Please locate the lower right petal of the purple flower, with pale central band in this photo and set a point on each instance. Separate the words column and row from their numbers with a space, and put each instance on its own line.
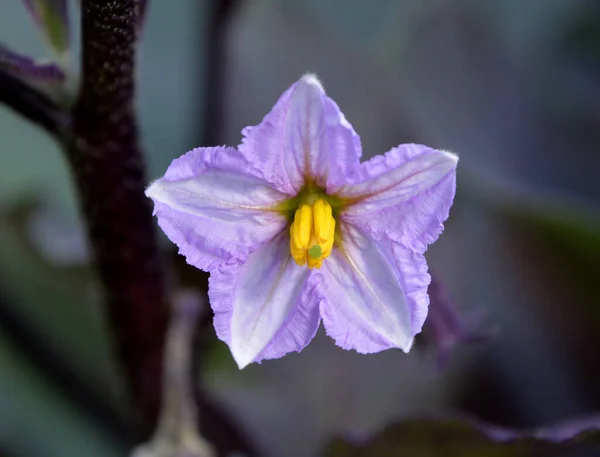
column 369, row 303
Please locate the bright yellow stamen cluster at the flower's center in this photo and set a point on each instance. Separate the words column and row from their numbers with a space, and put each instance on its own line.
column 312, row 233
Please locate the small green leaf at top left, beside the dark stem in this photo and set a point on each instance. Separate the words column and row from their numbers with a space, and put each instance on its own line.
column 51, row 16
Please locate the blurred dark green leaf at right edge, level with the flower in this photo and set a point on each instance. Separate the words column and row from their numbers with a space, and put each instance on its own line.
column 565, row 228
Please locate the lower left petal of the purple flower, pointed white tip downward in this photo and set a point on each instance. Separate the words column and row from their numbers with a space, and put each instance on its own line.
column 265, row 307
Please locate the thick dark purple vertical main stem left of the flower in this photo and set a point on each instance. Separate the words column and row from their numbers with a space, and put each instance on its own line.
column 110, row 176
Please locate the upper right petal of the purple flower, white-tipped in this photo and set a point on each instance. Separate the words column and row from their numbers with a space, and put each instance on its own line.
column 406, row 194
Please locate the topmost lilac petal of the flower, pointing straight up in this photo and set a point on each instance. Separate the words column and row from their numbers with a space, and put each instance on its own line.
column 304, row 136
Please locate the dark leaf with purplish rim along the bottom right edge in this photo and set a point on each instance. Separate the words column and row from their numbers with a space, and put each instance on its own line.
column 462, row 437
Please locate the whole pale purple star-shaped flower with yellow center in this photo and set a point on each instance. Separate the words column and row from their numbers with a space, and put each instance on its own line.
column 294, row 230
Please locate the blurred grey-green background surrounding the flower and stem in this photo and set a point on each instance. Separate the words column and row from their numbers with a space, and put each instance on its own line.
column 512, row 86
